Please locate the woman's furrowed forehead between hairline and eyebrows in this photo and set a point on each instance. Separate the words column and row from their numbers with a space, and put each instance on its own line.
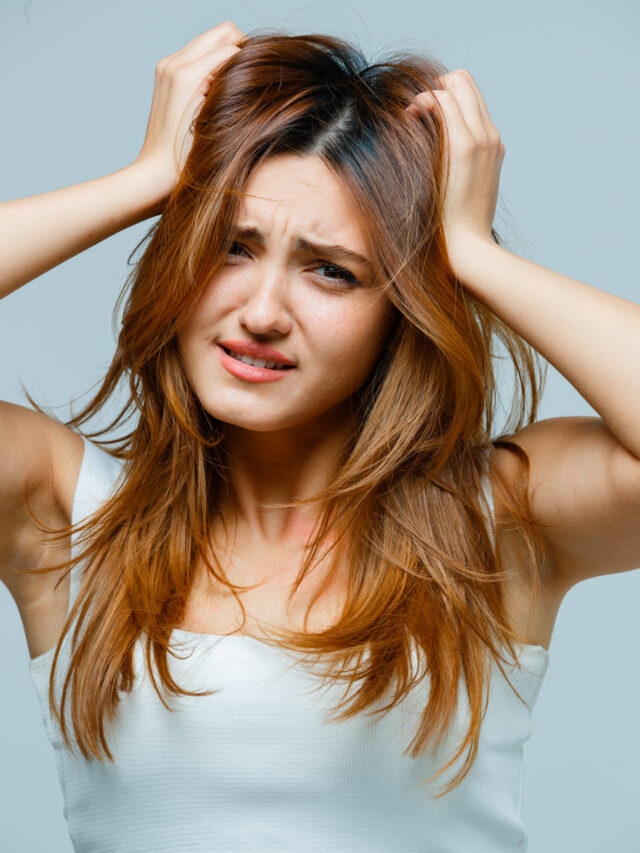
column 301, row 193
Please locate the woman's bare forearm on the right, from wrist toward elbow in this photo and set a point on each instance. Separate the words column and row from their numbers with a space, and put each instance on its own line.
column 590, row 336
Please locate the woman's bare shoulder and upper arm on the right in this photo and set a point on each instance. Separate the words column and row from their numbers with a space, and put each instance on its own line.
column 584, row 488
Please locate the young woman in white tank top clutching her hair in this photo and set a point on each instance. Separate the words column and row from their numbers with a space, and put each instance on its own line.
column 312, row 494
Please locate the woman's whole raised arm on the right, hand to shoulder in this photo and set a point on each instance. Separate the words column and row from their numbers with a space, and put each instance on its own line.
column 585, row 472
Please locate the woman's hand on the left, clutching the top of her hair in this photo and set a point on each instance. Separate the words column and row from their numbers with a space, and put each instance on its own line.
column 181, row 83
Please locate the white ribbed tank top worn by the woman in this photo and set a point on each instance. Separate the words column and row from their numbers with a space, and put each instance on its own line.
column 257, row 766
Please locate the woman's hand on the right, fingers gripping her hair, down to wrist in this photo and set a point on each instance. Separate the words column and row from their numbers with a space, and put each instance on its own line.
column 474, row 152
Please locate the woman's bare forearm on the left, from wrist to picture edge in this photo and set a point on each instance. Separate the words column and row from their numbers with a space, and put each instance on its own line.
column 40, row 232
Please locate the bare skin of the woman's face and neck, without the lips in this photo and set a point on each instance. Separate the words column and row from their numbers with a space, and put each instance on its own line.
column 282, row 436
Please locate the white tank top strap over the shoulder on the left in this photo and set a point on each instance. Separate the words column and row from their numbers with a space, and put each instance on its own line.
column 96, row 480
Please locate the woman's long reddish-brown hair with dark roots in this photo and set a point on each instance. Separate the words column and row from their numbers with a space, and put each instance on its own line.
column 404, row 508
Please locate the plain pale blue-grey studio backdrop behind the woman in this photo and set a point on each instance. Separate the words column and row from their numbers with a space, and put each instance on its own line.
column 560, row 80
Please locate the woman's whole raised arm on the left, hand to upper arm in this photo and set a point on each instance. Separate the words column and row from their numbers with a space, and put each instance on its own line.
column 37, row 234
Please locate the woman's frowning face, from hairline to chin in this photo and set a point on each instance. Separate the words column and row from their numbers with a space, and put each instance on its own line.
column 315, row 306
